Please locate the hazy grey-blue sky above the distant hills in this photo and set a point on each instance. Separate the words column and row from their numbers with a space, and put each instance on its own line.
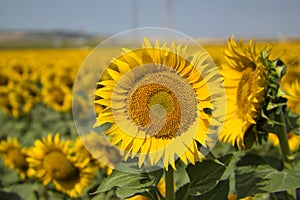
column 197, row 18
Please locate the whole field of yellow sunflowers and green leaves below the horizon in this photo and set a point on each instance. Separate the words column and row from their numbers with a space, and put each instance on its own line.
column 249, row 103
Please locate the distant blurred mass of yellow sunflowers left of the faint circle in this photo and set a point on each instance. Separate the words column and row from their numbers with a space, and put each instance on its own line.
column 30, row 77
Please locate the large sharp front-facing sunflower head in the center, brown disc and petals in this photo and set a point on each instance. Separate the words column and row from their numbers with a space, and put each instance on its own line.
column 160, row 104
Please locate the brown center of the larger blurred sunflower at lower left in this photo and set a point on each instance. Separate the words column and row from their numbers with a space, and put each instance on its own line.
column 59, row 166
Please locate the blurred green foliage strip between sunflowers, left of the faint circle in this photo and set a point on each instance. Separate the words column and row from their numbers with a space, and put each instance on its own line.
column 37, row 124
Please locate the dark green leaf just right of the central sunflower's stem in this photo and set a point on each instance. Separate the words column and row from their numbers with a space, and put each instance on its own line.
column 206, row 175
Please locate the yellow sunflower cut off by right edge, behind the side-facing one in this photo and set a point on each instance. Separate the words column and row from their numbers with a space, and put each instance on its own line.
column 292, row 90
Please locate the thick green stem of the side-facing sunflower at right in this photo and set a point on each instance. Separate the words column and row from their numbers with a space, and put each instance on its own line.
column 283, row 140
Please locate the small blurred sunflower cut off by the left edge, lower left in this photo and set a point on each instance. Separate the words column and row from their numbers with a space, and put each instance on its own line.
column 14, row 156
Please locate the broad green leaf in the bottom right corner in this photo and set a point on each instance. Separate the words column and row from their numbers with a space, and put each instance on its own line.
column 251, row 180
